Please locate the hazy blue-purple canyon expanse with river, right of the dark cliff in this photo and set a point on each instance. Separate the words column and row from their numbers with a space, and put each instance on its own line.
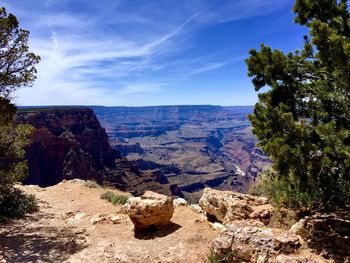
column 193, row 146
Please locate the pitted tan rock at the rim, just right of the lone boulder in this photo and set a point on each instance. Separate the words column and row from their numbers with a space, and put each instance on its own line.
column 229, row 206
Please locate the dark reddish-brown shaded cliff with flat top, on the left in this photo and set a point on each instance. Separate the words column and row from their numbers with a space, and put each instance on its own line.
column 68, row 143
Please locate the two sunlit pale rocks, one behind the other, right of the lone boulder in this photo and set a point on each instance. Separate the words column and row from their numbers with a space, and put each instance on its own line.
column 244, row 235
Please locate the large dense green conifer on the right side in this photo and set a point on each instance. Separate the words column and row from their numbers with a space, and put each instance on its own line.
column 303, row 120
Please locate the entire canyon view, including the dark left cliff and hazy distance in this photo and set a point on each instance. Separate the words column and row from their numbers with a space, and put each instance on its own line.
column 173, row 150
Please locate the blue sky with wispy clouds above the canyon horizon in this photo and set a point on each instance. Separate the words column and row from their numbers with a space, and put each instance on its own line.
column 149, row 52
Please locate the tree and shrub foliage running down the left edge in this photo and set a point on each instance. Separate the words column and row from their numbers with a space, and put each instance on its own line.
column 17, row 69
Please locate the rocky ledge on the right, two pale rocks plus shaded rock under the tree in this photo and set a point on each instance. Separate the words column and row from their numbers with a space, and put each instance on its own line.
column 246, row 235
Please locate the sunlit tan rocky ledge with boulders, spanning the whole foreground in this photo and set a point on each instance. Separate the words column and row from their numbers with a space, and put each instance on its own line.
column 69, row 228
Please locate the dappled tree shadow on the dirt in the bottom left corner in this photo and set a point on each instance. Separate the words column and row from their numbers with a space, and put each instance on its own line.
column 25, row 242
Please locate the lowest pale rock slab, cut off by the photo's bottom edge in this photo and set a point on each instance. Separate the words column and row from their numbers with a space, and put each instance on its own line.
column 246, row 242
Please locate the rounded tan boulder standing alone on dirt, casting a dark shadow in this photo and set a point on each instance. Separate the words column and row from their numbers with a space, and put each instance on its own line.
column 151, row 209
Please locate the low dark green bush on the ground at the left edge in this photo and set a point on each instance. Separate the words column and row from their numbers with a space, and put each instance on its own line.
column 14, row 203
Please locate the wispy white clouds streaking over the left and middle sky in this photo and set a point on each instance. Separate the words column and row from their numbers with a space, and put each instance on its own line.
column 106, row 51
